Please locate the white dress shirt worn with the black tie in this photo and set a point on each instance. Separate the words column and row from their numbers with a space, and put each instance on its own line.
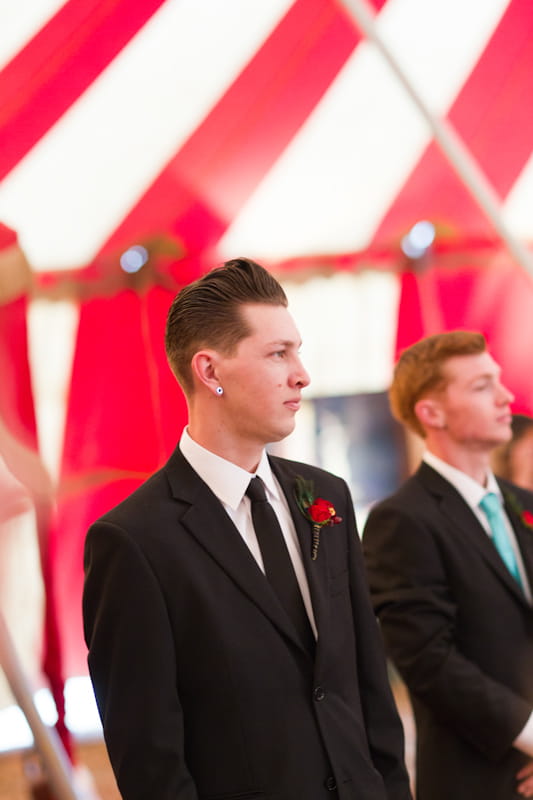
column 229, row 482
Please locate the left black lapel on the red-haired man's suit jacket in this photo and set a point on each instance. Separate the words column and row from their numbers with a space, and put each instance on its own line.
column 463, row 519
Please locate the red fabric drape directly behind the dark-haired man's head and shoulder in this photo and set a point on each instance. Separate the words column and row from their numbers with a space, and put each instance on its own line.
column 125, row 414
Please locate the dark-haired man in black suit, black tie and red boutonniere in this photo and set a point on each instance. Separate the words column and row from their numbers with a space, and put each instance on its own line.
column 214, row 681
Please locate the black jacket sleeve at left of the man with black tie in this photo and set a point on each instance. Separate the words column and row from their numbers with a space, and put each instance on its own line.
column 132, row 663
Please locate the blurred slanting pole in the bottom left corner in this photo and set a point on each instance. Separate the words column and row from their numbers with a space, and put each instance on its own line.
column 47, row 741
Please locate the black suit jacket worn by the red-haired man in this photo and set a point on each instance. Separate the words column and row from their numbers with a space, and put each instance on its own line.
column 460, row 631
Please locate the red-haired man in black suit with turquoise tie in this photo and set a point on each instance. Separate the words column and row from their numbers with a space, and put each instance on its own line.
column 451, row 582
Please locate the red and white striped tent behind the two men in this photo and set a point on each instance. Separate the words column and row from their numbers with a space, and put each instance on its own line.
column 311, row 135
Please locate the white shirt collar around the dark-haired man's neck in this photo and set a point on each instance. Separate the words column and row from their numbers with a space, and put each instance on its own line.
column 225, row 479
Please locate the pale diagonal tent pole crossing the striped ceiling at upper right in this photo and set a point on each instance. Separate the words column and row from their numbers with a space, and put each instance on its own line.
column 447, row 138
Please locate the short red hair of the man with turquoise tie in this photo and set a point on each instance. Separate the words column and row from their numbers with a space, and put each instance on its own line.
column 419, row 371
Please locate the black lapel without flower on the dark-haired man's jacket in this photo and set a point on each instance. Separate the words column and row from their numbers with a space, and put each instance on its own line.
column 206, row 520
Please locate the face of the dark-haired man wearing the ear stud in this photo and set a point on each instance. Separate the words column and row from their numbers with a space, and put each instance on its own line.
column 264, row 377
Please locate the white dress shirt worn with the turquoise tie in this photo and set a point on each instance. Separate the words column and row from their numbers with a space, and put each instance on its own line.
column 472, row 492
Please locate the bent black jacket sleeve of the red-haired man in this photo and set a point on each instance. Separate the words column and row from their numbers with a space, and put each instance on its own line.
column 414, row 600
